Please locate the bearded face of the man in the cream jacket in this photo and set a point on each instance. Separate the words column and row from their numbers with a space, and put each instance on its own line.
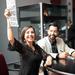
column 53, row 32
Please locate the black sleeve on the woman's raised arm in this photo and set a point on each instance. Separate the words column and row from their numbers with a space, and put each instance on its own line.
column 17, row 46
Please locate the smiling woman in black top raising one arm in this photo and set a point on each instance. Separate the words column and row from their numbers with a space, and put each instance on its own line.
column 30, row 52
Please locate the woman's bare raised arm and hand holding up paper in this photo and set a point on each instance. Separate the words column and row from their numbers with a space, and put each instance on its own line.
column 10, row 34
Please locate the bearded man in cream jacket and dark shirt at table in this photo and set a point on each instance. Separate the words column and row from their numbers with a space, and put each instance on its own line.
column 55, row 45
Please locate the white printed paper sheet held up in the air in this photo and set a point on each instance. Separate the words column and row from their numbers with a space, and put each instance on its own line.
column 11, row 5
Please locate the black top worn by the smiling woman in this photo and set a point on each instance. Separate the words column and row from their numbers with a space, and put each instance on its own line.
column 31, row 60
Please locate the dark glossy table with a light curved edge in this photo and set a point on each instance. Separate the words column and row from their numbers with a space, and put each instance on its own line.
column 63, row 66
